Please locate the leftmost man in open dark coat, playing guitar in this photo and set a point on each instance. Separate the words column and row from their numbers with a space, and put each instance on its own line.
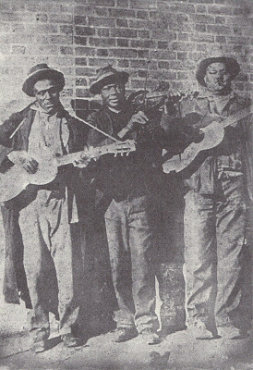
column 51, row 215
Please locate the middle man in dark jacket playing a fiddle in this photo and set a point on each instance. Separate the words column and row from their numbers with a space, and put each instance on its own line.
column 130, row 183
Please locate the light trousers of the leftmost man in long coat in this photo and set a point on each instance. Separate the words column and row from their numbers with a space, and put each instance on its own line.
column 48, row 241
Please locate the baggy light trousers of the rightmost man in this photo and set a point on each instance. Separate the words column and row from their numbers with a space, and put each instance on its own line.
column 214, row 253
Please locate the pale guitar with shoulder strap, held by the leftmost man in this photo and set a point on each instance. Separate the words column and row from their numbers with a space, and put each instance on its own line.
column 16, row 178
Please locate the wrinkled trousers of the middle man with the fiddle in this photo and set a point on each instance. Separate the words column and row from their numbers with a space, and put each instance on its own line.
column 131, row 246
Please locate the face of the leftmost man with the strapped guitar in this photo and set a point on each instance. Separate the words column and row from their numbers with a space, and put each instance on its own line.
column 47, row 94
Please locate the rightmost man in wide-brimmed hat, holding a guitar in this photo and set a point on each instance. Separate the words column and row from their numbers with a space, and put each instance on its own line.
column 215, row 207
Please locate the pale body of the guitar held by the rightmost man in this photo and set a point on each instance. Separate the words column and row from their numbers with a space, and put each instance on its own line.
column 213, row 136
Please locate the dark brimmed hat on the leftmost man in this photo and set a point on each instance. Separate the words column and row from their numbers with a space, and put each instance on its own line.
column 40, row 72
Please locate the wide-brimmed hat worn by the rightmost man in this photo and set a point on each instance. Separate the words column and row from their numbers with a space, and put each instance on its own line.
column 232, row 66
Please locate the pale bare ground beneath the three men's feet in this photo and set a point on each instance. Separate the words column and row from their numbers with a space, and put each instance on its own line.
column 176, row 351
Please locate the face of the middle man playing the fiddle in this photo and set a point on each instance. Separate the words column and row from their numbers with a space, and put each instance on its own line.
column 113, row 95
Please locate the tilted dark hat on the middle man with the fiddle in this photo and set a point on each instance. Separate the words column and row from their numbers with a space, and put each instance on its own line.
column 105, row 76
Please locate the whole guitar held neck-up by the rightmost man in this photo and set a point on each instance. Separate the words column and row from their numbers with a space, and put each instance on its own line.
column 213, row 136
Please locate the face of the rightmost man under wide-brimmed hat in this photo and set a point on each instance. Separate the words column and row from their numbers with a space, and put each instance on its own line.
column 217, row 78
